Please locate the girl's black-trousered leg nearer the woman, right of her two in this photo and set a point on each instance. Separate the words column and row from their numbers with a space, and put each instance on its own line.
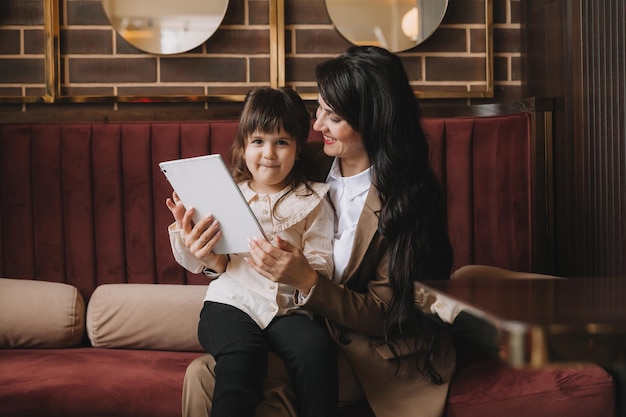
column 311, row 358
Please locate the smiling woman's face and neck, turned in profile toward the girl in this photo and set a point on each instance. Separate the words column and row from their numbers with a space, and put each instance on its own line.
column 341, row 140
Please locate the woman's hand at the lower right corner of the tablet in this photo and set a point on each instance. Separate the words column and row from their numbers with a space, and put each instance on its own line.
column 283, row 263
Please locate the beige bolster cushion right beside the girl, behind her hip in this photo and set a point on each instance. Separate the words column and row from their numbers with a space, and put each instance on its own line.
column 145, row 316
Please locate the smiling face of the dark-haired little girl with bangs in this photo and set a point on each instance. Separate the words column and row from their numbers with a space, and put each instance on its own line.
column 270, row 158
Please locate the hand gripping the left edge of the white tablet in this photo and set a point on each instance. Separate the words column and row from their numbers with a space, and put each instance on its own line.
column 201, row 239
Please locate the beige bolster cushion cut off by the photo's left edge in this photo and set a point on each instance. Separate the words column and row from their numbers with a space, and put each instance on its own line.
column 40, row 314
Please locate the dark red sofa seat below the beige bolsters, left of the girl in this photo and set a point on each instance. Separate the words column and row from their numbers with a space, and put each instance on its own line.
column 76, row 381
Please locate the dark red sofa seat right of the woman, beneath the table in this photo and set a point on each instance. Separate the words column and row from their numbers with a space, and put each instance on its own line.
column 494, row 389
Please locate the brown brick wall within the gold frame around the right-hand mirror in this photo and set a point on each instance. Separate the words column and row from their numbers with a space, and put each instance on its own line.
column 453, row 59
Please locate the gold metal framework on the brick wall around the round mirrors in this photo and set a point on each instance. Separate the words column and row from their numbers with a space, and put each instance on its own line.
column 277, row 66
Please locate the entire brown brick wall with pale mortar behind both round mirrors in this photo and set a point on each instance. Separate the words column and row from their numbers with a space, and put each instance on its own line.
column 95, row 61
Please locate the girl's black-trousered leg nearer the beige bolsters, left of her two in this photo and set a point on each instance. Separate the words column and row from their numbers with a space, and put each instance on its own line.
column 240, row 351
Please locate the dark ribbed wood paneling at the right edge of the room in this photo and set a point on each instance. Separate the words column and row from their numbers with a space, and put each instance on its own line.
column 575, row 52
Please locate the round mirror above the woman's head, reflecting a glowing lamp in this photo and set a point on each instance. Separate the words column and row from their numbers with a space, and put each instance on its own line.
column 396, row 25
